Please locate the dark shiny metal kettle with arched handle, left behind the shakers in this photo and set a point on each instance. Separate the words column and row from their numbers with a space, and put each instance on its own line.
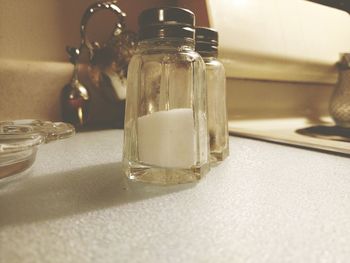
column 100, row 71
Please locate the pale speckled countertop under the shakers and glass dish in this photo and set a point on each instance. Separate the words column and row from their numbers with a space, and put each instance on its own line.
column 265, row 203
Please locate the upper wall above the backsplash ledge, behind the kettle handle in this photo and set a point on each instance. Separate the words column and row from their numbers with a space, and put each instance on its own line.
column 39, row 30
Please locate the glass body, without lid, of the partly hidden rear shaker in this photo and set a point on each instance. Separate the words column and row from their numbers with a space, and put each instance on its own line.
column 217, row 112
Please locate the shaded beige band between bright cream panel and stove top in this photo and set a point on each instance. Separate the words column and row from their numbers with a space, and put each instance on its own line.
column 256, row 99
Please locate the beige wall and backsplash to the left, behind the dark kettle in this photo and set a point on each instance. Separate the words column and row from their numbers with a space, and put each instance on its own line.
column 33, row 62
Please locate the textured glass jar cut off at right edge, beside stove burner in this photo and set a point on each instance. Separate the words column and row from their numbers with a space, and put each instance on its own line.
column 339, row 106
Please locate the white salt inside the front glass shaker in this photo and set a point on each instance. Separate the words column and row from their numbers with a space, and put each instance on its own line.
column 167, row 138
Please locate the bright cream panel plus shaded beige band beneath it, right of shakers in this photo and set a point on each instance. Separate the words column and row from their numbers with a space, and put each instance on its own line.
column 280, row 55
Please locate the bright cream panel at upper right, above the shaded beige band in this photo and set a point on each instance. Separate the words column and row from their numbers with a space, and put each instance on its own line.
column 289, row 40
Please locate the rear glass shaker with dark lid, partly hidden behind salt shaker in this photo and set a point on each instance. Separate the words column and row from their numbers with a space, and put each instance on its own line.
column 207, row 47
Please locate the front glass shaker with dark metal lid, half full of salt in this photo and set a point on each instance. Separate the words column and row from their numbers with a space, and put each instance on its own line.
column 165, row 133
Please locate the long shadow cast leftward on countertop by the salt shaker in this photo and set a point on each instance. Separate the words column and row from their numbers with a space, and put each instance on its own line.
column 59, row 195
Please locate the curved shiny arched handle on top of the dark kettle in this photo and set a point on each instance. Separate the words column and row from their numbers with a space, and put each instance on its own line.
column 91, row 10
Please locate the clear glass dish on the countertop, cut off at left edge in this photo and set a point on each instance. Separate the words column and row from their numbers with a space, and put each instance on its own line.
column 19, row 141
